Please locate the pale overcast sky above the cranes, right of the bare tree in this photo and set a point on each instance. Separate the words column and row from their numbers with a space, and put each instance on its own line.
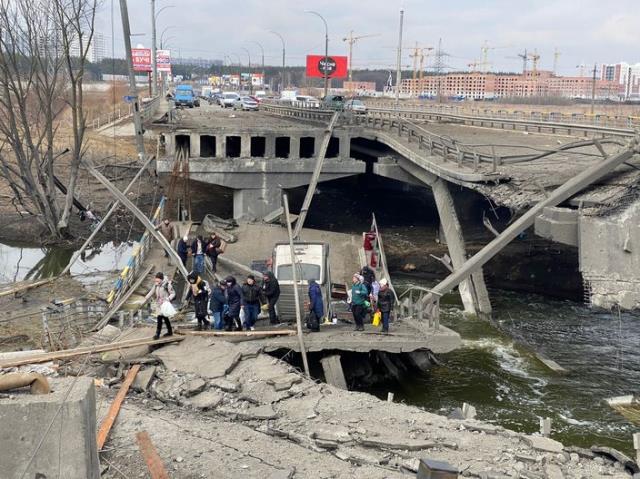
column 584, row 31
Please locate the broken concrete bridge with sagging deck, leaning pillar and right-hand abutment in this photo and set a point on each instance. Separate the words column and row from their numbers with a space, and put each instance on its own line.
column 260, row 153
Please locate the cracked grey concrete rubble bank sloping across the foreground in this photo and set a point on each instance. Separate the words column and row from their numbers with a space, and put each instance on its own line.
column 214, row 407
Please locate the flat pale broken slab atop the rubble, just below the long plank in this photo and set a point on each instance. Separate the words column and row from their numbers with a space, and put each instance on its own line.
column 197, row 355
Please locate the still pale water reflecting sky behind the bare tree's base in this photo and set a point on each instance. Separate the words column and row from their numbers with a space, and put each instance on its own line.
column 20, row 262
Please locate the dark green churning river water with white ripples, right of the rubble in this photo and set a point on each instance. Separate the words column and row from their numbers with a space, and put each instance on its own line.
column 496, row 370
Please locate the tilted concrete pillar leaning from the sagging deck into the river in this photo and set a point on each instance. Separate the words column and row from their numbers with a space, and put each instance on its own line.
column 473, row 291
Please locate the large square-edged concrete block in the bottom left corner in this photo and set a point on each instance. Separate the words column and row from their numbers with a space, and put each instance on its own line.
column 71, row 410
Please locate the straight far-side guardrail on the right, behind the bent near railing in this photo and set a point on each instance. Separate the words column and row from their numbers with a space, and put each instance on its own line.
column 504, row 123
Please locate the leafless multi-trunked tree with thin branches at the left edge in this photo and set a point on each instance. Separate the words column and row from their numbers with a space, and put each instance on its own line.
column 44, row 46
